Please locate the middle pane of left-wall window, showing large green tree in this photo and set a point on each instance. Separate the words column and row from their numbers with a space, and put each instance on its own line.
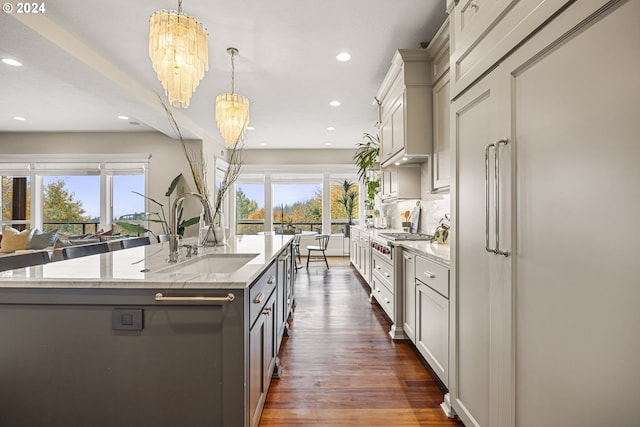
column 71, row 204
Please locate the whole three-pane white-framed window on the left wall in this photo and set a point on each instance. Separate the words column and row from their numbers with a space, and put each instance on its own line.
column 74, row 194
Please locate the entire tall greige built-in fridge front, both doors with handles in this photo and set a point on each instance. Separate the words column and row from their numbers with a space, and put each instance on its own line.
column 524, row 312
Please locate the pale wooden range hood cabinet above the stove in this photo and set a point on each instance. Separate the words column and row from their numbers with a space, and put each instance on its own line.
column 405, row 104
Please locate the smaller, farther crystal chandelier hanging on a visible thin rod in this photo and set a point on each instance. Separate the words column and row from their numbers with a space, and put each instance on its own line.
column 232, row 110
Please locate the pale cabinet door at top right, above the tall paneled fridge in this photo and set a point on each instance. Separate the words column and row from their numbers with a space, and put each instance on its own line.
column 484, row 31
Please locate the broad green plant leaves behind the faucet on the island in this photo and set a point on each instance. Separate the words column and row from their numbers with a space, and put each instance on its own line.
column 157, row 217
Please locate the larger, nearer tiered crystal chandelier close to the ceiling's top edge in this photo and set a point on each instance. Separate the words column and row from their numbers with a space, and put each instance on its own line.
column 178, row 47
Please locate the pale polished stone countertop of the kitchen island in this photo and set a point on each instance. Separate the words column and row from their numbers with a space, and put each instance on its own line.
column 144, row 267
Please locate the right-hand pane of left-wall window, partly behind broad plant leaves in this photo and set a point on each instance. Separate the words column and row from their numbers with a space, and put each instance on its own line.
column 128, row 206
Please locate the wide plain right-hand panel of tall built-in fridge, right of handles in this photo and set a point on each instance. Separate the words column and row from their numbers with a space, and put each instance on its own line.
column 577, row 269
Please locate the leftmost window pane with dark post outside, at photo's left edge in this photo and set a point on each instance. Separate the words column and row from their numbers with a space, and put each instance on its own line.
column 16, row 200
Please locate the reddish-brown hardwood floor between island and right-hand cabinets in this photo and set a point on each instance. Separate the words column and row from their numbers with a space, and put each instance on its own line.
column 341, row 368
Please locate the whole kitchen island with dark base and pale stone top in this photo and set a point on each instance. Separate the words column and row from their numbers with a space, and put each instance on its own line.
column 125, row 338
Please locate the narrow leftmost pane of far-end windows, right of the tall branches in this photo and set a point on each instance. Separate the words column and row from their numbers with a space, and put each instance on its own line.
column 249, row 208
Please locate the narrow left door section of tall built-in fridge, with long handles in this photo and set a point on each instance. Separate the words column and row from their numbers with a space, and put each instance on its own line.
column 481, row 281
